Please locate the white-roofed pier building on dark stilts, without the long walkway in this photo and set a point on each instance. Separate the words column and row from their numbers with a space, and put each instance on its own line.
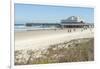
column 75, row 22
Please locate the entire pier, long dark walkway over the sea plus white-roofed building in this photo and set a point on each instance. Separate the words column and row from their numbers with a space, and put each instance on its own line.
column 70, row 22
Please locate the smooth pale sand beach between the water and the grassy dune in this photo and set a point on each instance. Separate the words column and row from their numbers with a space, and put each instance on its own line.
column 41, row 39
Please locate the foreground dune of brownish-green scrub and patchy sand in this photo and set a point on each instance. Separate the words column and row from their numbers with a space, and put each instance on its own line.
column 72, row 51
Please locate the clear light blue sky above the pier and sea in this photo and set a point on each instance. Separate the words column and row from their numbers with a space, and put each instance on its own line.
column 26, row 13
